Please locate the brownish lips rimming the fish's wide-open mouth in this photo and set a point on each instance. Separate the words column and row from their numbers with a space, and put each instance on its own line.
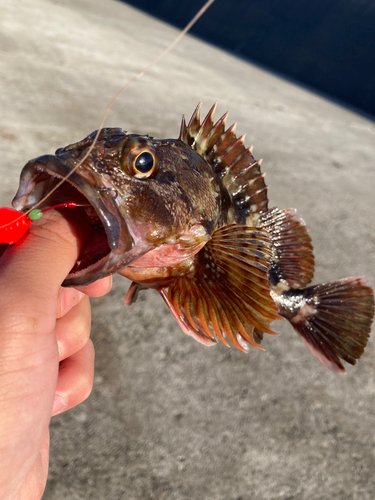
column 116, row 229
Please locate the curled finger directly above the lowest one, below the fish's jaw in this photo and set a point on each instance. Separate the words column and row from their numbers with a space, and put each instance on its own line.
column 73, row 330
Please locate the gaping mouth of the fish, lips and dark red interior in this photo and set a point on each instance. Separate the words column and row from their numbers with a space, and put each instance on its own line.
column 103, row 252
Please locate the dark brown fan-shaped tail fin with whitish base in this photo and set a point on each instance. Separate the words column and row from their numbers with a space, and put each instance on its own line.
column 333, row 319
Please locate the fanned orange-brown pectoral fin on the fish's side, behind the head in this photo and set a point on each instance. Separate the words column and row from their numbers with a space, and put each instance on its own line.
column 226, row 295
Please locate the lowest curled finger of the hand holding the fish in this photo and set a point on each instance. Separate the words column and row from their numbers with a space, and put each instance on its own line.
column 75, row 379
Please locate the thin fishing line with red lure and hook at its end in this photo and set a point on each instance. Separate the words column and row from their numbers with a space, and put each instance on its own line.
column 14, row 225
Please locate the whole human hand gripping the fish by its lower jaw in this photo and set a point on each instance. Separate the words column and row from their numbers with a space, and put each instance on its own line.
column 46, row 357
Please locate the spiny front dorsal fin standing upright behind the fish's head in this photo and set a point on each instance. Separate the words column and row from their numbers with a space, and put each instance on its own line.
column 228, row 156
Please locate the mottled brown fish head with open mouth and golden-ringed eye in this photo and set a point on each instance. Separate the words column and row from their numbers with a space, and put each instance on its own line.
column 140, row 194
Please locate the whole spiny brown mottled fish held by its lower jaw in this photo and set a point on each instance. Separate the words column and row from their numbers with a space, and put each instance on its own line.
column 189, row 218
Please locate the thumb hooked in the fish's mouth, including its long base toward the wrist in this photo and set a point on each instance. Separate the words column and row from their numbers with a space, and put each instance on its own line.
column 31, row 273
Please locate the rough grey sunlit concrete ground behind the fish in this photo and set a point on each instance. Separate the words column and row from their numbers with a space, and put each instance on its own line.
column 169, row 418
